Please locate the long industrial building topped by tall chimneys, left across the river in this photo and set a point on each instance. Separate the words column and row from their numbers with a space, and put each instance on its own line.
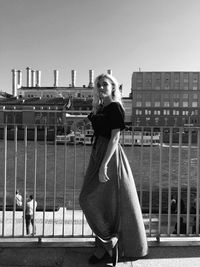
column 35, row 105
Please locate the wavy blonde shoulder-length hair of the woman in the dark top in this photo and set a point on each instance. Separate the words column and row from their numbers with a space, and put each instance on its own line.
column 116, row 93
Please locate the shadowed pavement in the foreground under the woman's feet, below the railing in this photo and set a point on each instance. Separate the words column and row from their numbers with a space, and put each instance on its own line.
column 181, row 256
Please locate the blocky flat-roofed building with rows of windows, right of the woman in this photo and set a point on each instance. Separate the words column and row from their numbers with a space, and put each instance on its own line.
column 166, row 98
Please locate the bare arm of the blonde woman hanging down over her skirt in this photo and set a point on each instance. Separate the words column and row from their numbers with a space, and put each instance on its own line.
column 113, row 142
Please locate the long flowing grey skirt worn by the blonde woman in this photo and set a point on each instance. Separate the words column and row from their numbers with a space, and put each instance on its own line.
column 112, row 208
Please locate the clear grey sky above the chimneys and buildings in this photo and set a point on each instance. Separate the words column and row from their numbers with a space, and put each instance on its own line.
column 122, row 35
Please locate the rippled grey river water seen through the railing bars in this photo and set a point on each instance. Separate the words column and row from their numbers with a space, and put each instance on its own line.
column 140, row 160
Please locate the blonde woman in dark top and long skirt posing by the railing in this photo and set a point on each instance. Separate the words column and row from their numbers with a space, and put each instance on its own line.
column 108, row 196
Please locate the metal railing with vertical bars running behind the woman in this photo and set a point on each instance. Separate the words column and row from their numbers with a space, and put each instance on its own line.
column 48, row 161
